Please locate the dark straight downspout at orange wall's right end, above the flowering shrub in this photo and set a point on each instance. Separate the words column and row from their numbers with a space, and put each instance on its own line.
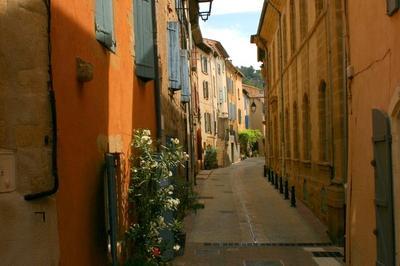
column 157, row 89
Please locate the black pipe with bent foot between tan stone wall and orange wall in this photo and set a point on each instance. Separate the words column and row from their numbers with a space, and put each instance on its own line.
column 52, row 100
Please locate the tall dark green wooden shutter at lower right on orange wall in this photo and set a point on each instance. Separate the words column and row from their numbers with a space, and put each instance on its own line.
column 383, row 188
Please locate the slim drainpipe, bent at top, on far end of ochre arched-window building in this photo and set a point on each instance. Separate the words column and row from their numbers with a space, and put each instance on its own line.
column 282, row 116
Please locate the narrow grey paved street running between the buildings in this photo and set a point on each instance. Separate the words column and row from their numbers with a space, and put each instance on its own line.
column 247, row 222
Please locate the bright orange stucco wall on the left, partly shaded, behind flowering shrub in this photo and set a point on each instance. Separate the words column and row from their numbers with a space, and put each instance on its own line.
column 93, row 118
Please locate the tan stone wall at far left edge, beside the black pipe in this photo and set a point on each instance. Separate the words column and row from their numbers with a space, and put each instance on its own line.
column 28, row 231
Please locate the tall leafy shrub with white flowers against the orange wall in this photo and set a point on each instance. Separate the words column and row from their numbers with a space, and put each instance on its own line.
column 153, row 196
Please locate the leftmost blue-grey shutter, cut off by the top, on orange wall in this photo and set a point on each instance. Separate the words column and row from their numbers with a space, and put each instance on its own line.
column 104, row 24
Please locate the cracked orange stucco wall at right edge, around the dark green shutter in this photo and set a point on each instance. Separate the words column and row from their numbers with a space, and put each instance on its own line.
column 374, row 41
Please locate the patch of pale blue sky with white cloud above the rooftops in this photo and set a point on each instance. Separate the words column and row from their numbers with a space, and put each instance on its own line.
column 232, row 22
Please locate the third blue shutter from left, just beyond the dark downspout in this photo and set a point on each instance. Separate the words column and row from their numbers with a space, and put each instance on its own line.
column 174, row 73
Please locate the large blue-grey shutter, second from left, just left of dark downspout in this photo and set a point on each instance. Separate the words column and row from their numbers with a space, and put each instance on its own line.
column 144, row 39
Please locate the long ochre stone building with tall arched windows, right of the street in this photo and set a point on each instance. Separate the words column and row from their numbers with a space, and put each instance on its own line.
column 301, row 46
